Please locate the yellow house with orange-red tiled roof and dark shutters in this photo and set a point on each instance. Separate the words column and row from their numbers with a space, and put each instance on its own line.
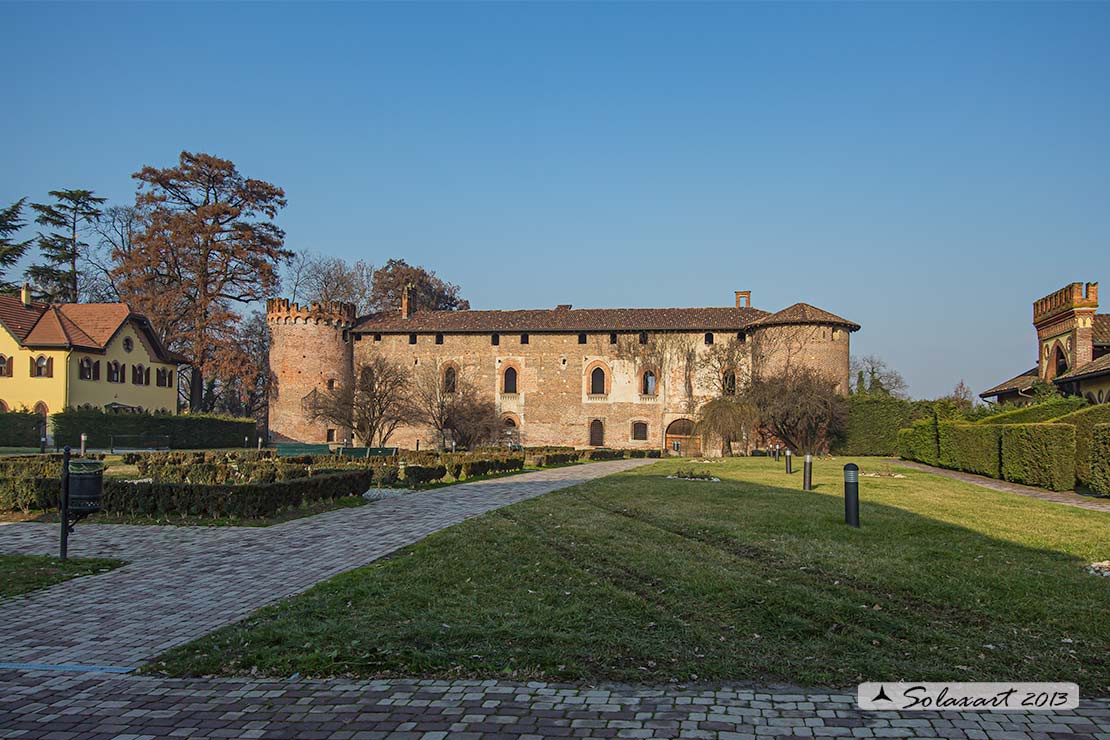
column 83, row 354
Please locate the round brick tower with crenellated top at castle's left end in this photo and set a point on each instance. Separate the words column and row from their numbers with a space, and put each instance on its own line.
column 310, row 351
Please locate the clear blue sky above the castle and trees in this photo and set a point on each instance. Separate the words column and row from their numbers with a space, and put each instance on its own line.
column 925, row 170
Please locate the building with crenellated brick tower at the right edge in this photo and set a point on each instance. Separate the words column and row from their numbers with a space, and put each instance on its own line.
column 1073, row 349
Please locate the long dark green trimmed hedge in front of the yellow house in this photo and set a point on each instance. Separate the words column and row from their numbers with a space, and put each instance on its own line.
column 185, row 431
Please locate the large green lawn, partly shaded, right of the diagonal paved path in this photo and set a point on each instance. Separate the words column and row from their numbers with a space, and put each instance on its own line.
column 639, row 579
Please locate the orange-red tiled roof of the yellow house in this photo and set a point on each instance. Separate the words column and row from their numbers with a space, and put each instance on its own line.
column 88, row 327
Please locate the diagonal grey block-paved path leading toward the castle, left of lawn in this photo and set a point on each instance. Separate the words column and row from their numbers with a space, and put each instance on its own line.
column 183, row 583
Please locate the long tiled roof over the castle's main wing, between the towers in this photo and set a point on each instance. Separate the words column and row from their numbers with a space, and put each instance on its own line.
column 564, row 320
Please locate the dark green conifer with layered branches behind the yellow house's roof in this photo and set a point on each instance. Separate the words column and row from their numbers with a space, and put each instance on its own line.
column 57, row 278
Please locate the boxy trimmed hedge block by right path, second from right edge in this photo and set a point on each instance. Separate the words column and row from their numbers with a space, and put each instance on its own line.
column 1040, row 455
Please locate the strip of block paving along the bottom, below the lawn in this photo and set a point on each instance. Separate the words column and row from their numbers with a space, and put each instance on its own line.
column 42, row 706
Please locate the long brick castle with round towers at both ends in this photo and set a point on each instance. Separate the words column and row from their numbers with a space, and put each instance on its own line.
column 613, row 378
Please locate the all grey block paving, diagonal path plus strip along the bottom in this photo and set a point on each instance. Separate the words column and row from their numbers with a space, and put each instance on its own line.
column 184, row 583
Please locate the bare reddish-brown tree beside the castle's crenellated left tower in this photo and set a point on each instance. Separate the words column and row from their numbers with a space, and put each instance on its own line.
column 374, row 407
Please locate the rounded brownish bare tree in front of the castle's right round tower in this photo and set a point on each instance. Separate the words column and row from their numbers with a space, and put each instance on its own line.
column 800, row 407
